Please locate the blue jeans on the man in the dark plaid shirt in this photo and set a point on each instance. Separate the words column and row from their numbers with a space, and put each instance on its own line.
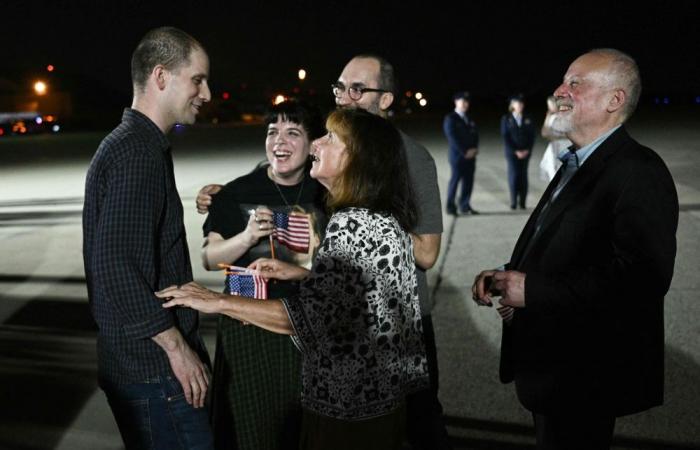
column 155, row 415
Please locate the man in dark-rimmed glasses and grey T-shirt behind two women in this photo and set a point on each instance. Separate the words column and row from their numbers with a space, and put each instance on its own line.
column 368, row 82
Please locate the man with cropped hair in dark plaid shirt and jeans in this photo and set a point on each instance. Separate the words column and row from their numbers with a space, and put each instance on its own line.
column 153, row 366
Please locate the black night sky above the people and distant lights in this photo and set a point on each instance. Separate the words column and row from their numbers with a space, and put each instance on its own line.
column 490, row 48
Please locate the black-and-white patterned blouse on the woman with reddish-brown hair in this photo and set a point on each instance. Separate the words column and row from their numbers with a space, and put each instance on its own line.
column 357, row 320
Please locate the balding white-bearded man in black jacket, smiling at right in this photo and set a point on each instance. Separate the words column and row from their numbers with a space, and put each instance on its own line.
column 582, row 296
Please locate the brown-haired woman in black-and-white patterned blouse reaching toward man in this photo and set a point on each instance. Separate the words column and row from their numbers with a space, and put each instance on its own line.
column 356, row 318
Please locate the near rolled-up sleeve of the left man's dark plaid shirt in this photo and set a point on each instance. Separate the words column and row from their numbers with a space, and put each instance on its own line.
column 124, row 259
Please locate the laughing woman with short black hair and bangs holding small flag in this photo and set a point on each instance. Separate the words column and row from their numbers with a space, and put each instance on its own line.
column 255, row 401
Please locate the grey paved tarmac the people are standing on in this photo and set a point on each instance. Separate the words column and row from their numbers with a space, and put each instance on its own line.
column 48, row 393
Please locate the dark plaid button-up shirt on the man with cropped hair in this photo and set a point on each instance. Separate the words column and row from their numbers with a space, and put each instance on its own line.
column 134, row 244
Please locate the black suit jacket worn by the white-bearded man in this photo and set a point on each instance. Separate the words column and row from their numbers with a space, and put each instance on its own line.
column 591, row 335
